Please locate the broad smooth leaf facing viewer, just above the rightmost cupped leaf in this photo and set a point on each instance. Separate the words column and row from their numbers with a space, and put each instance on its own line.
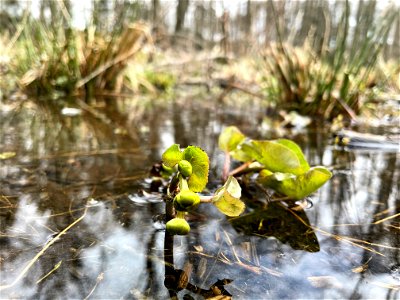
column 274, row 156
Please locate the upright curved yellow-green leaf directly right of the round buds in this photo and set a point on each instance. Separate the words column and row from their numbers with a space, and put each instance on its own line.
column 200, row 166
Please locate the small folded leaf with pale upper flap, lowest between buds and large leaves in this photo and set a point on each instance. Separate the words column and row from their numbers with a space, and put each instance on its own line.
column 227, row 198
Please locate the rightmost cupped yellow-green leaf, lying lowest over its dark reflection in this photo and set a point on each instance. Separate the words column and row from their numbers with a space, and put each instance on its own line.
column 296, row 187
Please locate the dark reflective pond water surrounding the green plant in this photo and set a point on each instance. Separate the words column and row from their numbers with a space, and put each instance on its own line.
column 78, row 220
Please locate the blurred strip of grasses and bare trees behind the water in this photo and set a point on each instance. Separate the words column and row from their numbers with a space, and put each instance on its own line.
column 316, row 57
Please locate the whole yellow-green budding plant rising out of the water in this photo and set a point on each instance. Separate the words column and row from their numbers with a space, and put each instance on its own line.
column 280, row 165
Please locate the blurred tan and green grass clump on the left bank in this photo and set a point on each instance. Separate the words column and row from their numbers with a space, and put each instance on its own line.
column 63, row 60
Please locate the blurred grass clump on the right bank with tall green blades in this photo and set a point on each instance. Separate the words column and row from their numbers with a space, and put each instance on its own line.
column 337, row 80
